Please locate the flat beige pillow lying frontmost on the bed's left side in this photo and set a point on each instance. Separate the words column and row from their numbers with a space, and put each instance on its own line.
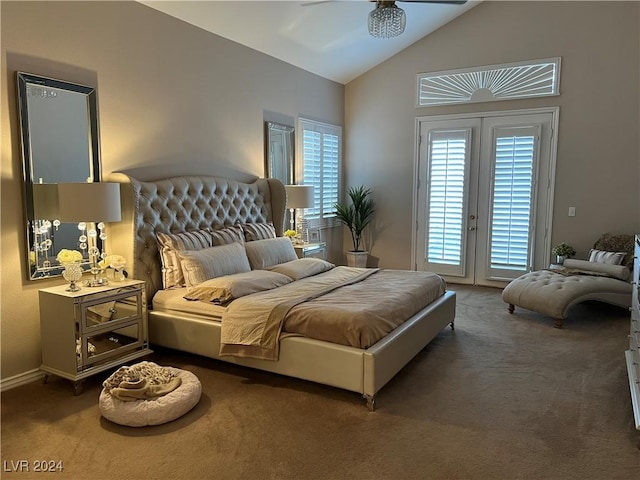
column 224, row 289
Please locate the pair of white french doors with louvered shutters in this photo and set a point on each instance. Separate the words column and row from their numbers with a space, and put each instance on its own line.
column 484, row 191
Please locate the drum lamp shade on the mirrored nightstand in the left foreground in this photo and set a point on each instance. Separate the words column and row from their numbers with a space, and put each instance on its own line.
column 89, row 202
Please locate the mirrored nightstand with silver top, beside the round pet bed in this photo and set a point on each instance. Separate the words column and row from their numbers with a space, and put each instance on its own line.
column 92, row 330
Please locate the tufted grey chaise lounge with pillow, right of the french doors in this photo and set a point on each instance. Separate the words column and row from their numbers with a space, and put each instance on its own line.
column 604, row 277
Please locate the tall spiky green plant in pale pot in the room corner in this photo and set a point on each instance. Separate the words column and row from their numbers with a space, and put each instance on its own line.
column 356, row 217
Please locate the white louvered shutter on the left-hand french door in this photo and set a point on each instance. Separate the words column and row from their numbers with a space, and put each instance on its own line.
column 448, row 164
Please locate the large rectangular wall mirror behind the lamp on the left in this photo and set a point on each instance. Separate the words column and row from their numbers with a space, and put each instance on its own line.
column 59, row 133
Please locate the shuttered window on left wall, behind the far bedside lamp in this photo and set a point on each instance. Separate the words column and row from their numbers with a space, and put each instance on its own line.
column 319, row 164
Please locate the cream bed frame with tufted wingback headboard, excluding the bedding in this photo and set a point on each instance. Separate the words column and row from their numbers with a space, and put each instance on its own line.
column 195, row 203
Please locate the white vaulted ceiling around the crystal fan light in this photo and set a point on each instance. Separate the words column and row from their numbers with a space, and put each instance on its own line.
column 328, row 38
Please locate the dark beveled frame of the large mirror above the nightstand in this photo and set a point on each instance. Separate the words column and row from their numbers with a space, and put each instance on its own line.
column 24, row 82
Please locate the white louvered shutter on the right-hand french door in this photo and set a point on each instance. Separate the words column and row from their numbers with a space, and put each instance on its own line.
column 513, row 199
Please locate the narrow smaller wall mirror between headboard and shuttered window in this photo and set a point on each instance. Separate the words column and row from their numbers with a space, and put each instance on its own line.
column 279, row 152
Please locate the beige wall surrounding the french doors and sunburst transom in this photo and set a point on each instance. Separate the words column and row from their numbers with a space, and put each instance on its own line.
column 598, row 161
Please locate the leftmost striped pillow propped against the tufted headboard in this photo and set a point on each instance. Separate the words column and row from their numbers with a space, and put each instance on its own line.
column 171, row 243
